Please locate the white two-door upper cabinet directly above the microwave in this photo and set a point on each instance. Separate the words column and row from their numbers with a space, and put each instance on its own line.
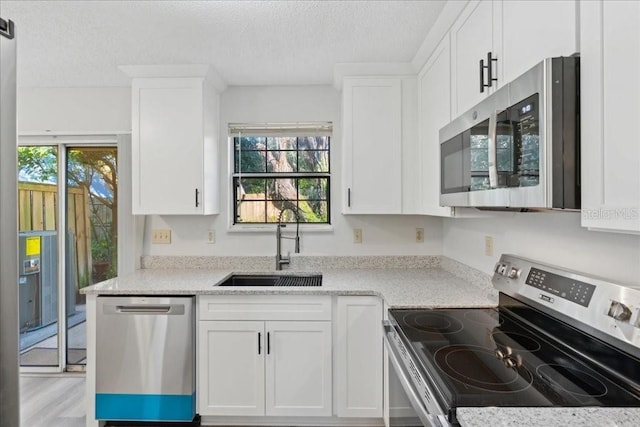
column 517, row 33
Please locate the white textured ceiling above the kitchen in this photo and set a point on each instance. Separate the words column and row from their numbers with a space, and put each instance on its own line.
column 82, row 43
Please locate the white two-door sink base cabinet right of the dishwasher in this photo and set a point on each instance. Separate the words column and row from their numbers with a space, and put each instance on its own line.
column 266, row 367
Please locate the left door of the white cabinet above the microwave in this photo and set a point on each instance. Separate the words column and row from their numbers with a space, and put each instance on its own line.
column 472, row 37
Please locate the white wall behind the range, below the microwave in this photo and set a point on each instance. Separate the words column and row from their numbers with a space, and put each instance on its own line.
column 554, row 238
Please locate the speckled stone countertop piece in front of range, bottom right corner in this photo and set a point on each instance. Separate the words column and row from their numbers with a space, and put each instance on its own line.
column 548, row 417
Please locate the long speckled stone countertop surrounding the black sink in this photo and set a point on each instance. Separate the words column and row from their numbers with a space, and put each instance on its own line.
column 400, row 288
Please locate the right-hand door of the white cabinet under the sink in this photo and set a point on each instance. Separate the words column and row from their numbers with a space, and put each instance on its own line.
column 298, row 364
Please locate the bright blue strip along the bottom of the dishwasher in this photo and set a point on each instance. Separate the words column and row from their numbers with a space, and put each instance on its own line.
column 145, row 407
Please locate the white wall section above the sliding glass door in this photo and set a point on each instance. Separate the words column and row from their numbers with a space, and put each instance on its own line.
column 74, row 110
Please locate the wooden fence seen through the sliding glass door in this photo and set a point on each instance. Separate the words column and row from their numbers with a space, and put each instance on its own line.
column 37, row 211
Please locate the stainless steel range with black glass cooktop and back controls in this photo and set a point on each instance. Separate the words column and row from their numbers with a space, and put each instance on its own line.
column 557, row 338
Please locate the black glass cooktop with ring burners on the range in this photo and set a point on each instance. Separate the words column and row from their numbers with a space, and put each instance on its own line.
column 494, row 357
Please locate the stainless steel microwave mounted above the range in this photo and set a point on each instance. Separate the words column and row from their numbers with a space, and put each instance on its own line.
column 520, row 147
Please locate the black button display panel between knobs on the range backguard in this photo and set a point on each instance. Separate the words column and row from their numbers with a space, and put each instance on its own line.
column 563, row 287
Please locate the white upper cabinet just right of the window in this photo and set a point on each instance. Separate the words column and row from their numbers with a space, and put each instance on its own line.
column 380, row 145
